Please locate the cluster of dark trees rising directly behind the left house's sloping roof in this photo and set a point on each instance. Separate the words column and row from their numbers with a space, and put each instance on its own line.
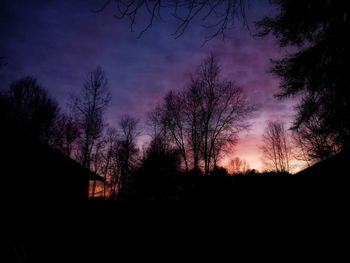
column 81, row 132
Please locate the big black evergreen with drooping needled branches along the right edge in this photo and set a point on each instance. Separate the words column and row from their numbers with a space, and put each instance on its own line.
column 318, row 71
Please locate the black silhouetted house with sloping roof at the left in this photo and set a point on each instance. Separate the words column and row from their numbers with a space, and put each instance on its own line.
column 35, row 174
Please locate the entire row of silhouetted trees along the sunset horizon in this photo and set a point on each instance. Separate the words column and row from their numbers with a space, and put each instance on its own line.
column 190, row 132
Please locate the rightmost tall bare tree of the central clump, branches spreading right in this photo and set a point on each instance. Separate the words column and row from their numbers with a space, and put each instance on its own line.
column 224, row 110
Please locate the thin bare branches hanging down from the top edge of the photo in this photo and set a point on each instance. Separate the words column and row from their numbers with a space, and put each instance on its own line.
column 217, row 15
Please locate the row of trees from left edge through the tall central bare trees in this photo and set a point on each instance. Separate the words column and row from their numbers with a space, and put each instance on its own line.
column 189, row 130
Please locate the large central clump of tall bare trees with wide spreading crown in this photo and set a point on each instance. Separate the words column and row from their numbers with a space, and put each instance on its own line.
column 204, row 118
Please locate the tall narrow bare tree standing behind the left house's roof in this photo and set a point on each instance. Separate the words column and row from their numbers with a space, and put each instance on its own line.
column 89, row 107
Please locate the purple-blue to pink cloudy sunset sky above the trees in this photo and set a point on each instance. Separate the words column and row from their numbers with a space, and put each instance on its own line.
column 59, row 42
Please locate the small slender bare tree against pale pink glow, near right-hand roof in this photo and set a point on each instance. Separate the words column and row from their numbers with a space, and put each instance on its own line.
column 276, row 147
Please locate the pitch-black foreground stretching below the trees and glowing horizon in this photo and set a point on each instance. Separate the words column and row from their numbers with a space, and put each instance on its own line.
column 176, row 215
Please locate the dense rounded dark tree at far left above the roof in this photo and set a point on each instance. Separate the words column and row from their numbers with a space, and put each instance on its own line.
column 27, row 106
